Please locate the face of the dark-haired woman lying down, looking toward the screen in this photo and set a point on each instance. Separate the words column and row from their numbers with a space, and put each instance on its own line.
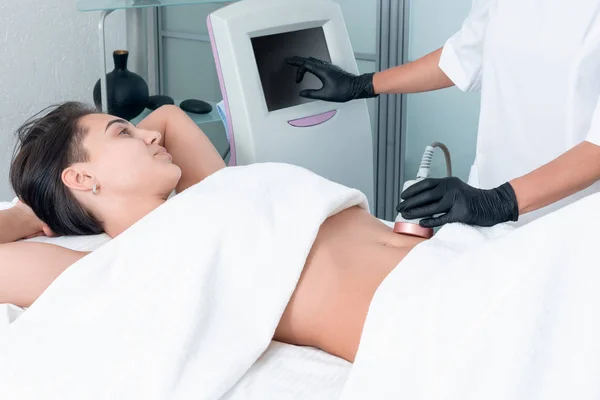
column 126, row 161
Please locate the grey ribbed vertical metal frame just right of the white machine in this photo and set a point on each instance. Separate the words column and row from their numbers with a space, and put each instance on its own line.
column 392, row 18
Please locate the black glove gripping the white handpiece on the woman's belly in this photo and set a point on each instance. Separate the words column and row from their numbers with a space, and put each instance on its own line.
column 458, row 202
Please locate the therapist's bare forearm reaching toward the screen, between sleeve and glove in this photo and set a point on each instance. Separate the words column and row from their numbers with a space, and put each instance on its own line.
column 421, row 75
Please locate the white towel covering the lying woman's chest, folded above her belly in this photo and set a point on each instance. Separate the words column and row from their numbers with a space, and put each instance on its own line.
column 167, row 310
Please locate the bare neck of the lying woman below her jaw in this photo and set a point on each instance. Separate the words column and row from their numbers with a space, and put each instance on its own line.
column 120, row 214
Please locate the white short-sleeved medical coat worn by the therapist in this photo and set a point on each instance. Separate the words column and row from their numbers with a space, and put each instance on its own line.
column 537, row 65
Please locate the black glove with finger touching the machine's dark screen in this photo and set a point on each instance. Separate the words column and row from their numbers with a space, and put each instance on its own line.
column 338, row 85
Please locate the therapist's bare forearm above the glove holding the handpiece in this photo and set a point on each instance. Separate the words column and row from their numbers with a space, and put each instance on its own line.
column 573, row 171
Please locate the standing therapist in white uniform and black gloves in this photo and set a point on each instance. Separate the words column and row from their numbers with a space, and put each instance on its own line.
column 537, row 65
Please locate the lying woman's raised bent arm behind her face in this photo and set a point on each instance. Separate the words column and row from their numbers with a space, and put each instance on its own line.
column 191, row 150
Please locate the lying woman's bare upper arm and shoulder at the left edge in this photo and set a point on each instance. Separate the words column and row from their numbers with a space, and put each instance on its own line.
column 28, row 268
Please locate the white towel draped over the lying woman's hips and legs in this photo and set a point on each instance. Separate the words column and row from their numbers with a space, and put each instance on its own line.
column 489, row 314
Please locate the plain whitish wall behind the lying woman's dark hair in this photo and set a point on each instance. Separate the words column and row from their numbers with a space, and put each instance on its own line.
column 48, row 54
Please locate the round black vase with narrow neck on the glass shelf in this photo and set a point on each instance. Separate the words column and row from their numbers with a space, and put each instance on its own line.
column 127, row 91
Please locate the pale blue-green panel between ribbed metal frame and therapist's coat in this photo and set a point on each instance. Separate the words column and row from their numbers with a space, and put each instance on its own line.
column 448, row 115
